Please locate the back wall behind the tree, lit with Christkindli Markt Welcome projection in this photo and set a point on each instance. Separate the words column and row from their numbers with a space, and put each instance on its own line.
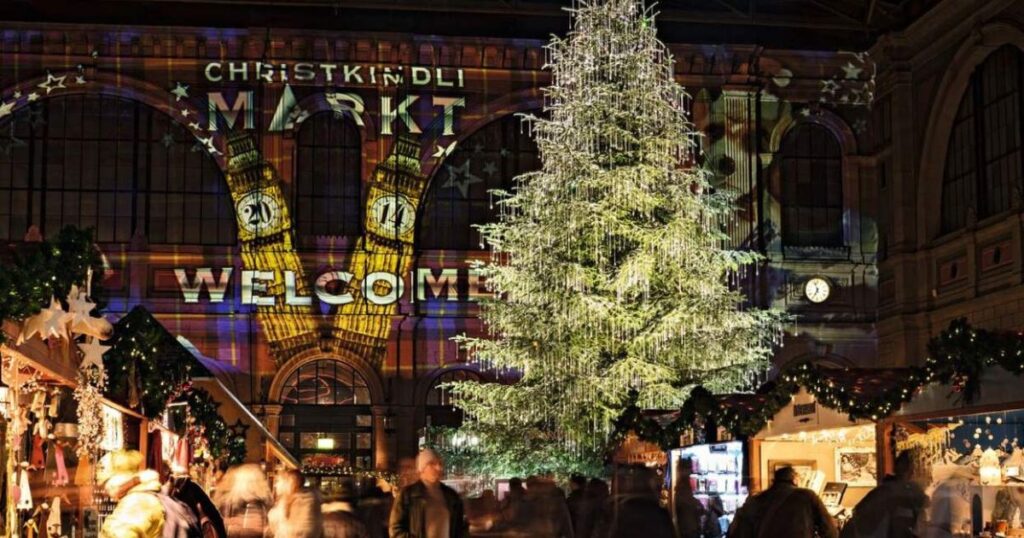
column 300, row 205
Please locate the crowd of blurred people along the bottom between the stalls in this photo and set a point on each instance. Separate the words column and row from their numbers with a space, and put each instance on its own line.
column 245, row 506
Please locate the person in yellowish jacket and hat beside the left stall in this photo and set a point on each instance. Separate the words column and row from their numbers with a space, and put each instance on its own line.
column 140, row 513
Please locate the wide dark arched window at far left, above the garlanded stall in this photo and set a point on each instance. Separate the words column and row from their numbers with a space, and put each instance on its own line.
column 113, row 164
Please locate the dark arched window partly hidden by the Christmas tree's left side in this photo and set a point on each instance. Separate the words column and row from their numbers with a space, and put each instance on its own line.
column 459, row 197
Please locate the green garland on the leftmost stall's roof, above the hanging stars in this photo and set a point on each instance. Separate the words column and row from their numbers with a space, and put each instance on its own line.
column 33, row 273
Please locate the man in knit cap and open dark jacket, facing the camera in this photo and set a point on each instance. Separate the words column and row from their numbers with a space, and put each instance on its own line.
column 429, row 509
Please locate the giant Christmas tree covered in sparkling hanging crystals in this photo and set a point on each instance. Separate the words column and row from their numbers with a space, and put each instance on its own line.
column 609, row 270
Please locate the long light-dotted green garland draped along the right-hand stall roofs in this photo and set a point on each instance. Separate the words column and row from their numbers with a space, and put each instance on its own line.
column 958, row 357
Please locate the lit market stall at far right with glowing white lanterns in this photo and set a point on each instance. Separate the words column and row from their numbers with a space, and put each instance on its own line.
column 968, row 457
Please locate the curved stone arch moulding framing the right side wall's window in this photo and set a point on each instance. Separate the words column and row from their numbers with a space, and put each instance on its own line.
column 972, row 53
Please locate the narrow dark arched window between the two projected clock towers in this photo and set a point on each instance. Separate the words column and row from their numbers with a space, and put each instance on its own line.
column 328, row 192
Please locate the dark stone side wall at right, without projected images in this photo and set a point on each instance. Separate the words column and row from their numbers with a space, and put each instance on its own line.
column 950, row 176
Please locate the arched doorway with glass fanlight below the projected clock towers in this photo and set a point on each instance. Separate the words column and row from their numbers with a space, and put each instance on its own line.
column 326, row 419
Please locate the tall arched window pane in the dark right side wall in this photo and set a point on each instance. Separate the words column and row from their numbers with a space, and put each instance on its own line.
column 985, row 168
